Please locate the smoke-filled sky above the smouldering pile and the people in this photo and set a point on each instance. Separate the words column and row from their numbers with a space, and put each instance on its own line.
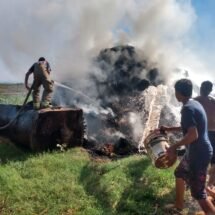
column 69, row 33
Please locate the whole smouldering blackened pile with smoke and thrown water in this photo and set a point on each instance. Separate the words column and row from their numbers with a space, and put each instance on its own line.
column 123, row 98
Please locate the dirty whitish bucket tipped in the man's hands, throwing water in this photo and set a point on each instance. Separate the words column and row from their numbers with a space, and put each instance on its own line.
column 156, row 144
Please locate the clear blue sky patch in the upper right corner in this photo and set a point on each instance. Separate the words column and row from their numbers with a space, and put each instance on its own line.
column 204, row 30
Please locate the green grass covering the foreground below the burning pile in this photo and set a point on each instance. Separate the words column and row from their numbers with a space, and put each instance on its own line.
column 74, row 183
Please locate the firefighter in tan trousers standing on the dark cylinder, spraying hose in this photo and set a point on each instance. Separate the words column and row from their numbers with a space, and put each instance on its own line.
column 41, row 72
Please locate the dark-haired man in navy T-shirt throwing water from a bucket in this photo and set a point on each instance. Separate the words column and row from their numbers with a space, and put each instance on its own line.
column 192, row 169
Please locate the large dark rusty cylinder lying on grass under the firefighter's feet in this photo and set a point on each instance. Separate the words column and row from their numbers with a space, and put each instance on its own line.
column 44, row 129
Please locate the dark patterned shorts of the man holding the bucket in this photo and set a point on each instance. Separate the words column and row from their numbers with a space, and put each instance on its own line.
column 195, row 179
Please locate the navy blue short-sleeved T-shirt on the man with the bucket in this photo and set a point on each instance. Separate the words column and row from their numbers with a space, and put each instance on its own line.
column 200, row 151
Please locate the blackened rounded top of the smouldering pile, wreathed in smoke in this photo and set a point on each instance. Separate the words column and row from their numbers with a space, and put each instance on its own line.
column 123, row 72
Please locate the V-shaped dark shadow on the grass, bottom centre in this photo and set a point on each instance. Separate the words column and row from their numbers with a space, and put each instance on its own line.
column 127, row 204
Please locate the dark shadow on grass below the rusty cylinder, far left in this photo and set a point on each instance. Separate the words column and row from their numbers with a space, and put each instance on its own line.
column 9, row 152
